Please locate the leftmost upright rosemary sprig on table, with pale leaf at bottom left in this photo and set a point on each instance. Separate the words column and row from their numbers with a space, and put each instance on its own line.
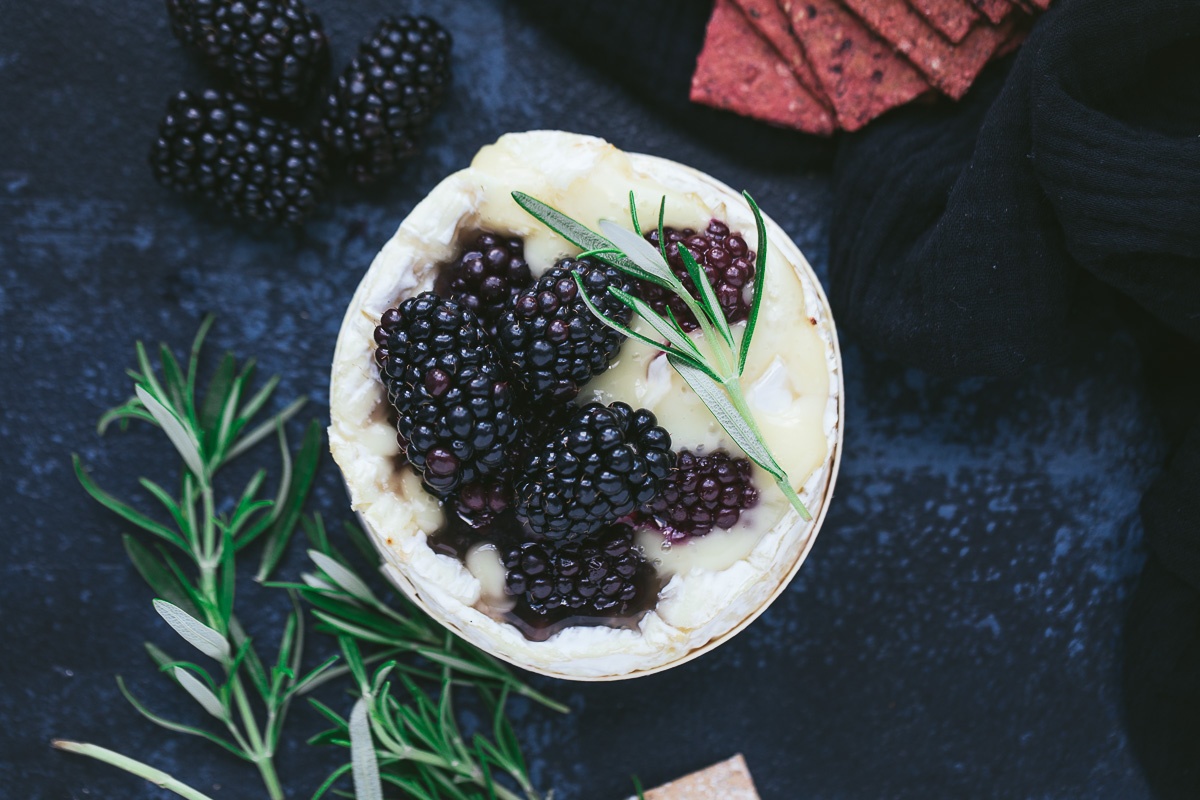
column 249, row 700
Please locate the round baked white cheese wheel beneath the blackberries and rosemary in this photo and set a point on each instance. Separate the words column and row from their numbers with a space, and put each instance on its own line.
column 706, row 588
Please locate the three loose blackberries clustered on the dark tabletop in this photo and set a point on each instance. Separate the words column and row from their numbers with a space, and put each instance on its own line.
column 235, row 148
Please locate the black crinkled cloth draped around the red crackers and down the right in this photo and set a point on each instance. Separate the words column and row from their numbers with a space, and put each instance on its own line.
column 967, row 237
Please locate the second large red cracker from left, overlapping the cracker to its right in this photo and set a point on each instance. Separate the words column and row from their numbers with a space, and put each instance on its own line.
column 861, row 75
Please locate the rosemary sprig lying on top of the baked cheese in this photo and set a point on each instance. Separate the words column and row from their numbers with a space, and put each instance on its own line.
column 715, row 372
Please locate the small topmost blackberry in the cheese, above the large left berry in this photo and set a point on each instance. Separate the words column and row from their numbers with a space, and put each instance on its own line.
column 487, row 276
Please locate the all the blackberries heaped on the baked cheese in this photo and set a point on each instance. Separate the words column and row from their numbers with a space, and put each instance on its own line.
column 484, row 375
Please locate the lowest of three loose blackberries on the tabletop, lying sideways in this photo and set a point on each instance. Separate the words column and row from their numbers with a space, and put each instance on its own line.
column 213, row 146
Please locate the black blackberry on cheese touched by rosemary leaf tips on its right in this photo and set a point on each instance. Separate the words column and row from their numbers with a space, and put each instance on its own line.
column 554, row 342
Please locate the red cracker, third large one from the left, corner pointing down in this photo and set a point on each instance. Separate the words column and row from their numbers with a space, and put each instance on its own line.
column 950, row 68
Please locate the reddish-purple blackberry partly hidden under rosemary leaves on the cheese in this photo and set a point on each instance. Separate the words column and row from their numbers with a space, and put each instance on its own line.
column 728, row 263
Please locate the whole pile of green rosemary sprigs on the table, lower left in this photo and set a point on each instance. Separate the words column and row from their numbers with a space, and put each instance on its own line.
column 193, row 572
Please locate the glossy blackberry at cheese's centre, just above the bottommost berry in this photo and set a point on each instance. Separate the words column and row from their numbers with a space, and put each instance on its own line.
column 602, row 467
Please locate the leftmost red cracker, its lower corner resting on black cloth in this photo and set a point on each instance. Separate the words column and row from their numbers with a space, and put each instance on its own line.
column 739, row 71
